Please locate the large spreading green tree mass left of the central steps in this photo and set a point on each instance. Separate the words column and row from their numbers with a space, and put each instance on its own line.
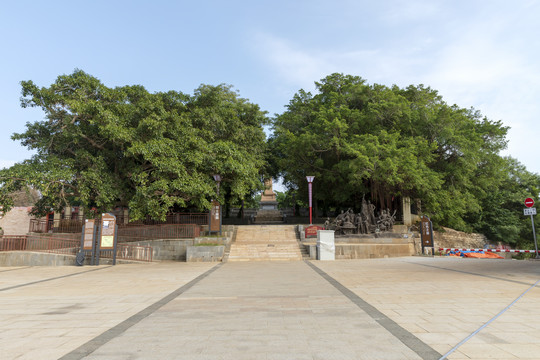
column 101, row 147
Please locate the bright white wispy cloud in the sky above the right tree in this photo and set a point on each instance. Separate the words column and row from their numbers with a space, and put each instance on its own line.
column 489, row 60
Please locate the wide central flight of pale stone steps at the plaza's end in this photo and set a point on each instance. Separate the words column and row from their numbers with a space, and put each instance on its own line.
column 266, row 243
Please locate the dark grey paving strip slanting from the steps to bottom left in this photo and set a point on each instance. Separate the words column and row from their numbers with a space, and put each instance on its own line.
column 100, row 340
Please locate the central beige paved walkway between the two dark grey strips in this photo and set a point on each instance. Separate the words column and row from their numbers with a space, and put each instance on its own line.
column 270, row 311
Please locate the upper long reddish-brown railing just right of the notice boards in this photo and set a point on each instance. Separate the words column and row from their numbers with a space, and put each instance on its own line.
column 131, row 233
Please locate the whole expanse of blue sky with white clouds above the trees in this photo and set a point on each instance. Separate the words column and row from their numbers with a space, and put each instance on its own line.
column 483, row 54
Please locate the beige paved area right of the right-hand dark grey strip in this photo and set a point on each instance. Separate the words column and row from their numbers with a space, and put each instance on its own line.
column 443, row 300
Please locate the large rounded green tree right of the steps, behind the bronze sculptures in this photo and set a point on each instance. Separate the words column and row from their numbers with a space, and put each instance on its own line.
column 387, row 142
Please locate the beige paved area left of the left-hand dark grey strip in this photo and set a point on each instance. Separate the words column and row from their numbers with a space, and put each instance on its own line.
column 56, row 309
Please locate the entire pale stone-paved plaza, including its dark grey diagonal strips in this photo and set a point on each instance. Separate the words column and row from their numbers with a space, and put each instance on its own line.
column 397, row 308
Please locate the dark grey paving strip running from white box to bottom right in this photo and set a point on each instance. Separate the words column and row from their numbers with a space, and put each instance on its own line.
column 410, row 340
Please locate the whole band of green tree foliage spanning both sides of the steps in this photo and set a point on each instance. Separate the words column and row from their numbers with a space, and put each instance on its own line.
column 101, row 147
